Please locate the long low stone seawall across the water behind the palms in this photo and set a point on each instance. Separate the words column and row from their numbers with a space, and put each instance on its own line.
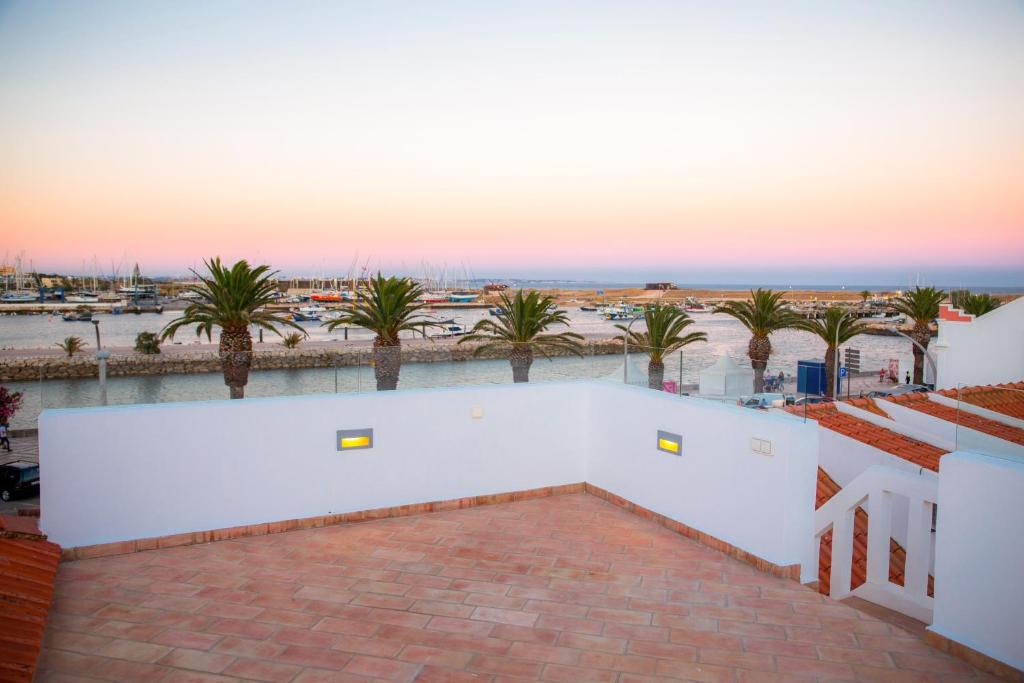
column 183, row 363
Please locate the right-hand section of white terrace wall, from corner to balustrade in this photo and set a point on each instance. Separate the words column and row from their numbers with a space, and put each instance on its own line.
column 763, row 504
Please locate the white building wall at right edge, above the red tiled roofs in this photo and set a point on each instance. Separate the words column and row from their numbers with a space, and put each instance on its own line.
column 987, row 351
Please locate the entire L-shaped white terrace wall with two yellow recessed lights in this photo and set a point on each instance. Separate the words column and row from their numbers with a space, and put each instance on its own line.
column 132, row 473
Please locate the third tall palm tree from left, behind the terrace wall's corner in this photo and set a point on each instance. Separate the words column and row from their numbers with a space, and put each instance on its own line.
column 522, row 329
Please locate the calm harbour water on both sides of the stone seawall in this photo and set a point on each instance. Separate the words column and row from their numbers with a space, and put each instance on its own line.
column 726, row 336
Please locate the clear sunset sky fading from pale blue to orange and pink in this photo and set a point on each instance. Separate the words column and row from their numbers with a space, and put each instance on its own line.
column 700, row 142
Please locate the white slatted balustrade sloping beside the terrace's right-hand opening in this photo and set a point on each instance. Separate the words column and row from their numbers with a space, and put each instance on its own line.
column 874, row 491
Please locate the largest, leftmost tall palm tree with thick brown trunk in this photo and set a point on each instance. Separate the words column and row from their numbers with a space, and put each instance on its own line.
column 232, row 298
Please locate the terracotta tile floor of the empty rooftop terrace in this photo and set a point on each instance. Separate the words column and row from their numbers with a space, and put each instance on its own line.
column 559, row 589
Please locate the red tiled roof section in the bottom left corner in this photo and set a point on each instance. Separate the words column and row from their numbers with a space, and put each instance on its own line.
column 28, row 570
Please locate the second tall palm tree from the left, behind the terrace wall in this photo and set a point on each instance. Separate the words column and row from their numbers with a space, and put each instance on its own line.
column 388, row 309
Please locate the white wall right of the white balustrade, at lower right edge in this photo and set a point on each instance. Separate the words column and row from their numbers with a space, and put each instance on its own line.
column 979, row 597
